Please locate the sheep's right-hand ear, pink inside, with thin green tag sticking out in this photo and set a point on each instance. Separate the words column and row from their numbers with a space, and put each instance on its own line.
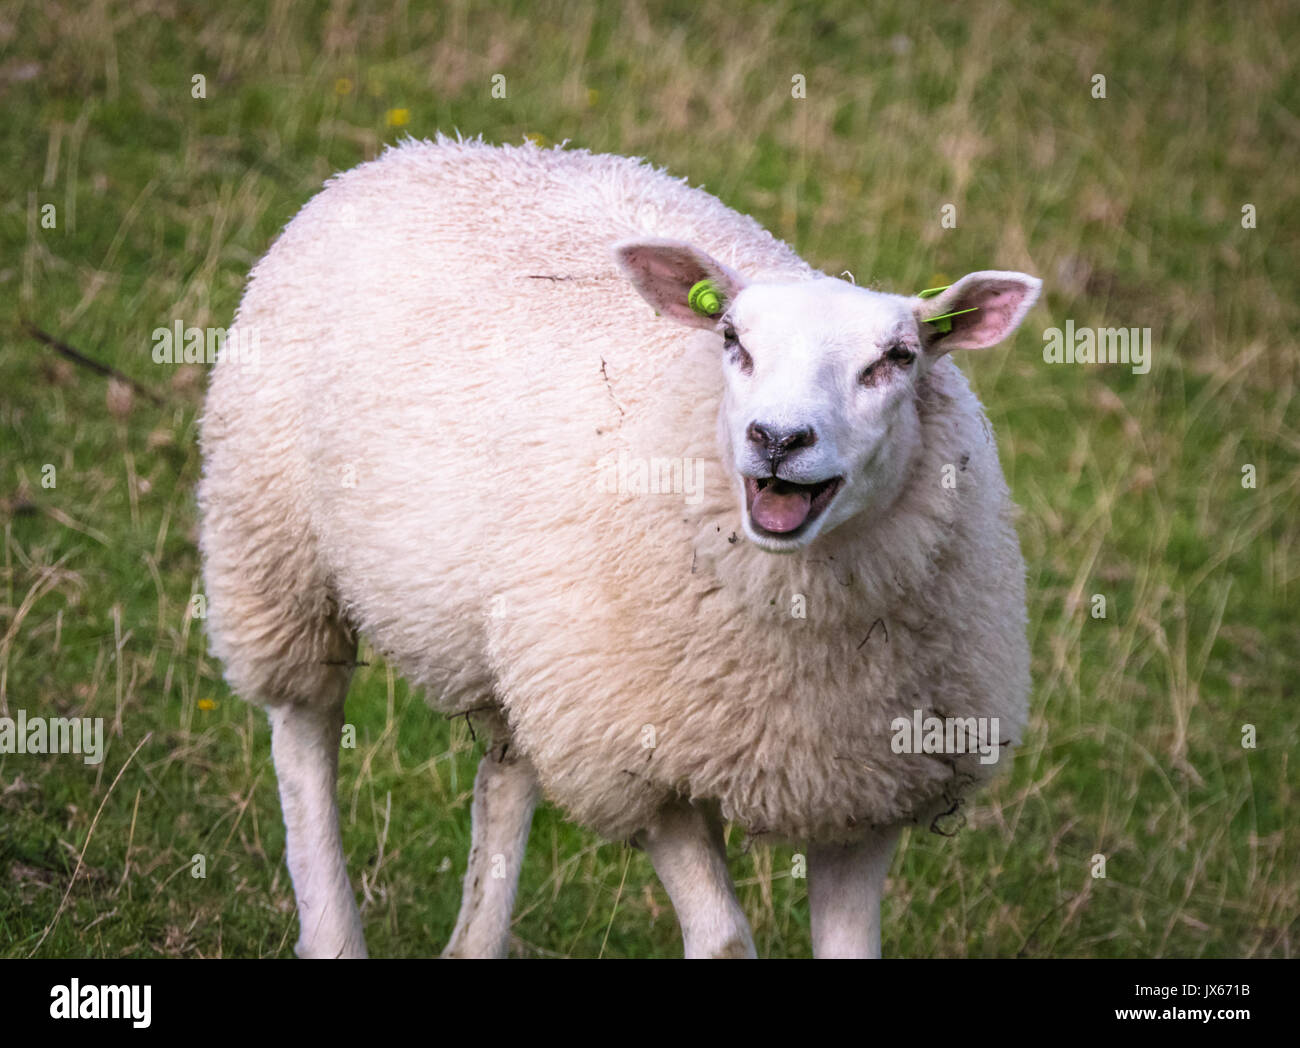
column 977, row 313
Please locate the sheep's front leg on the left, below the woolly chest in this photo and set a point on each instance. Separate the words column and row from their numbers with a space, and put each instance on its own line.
column 688, row 852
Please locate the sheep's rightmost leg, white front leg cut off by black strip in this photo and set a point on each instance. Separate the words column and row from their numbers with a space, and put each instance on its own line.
column 846, row 885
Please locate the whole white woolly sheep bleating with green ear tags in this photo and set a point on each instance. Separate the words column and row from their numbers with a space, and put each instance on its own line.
column 444, row 447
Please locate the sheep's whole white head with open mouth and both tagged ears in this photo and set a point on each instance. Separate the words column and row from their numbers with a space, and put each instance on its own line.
column 820, row 414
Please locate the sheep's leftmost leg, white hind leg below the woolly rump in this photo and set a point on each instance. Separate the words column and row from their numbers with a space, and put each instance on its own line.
column 305, row 742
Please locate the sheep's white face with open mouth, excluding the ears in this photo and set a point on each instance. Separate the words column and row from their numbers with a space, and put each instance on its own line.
column 820, row 414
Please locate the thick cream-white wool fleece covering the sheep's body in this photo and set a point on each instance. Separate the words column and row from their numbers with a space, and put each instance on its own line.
column 449, row 354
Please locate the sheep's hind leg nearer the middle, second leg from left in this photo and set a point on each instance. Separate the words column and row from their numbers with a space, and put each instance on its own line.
column 505, row 796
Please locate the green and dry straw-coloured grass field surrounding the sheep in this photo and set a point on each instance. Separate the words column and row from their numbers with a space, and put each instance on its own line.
column 1132, row 486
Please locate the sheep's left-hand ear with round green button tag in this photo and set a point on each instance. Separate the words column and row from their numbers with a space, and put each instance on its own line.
column 664, row 272
